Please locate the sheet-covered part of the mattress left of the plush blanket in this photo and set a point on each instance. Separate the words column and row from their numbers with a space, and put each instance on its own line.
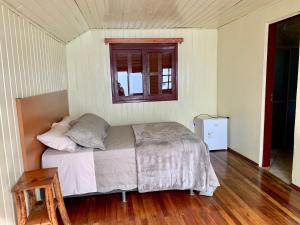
column 93, row 170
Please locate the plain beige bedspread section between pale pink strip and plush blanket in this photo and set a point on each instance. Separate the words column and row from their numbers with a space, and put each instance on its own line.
column 115, row 168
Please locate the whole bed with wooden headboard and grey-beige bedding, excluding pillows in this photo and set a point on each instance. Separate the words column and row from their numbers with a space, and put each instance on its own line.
column 143, row 157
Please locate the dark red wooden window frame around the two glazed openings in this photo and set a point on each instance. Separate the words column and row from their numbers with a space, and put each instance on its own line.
column 144, row 49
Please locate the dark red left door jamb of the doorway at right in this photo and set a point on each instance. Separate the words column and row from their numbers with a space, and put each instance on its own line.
column 271, row 57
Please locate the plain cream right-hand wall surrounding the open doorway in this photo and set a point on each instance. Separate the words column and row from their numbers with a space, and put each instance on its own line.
column 242, row 51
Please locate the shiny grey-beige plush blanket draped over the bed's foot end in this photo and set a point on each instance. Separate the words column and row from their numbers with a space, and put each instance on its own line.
column 169, row 156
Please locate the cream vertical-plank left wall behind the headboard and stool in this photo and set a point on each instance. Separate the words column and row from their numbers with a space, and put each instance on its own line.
column 31, row 62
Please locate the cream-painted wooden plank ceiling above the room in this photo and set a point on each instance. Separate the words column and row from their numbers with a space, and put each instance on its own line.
column 66, row 19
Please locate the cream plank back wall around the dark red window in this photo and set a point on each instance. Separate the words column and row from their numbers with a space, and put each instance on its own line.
column 90, row 79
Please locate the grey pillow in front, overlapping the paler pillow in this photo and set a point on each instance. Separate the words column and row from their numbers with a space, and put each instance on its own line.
column 89, row 131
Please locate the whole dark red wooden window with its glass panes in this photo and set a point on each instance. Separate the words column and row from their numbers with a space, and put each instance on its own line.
column 143, row 72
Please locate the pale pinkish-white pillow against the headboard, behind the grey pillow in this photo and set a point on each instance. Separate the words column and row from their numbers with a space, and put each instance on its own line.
column 55, row 138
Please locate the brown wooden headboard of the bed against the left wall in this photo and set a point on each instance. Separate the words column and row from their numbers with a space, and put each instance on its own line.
column 35, row 115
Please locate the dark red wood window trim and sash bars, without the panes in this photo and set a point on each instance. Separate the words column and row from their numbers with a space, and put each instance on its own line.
column 145, row 50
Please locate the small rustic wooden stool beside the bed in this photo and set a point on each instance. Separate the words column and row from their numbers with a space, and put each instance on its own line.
column 40, row 212
